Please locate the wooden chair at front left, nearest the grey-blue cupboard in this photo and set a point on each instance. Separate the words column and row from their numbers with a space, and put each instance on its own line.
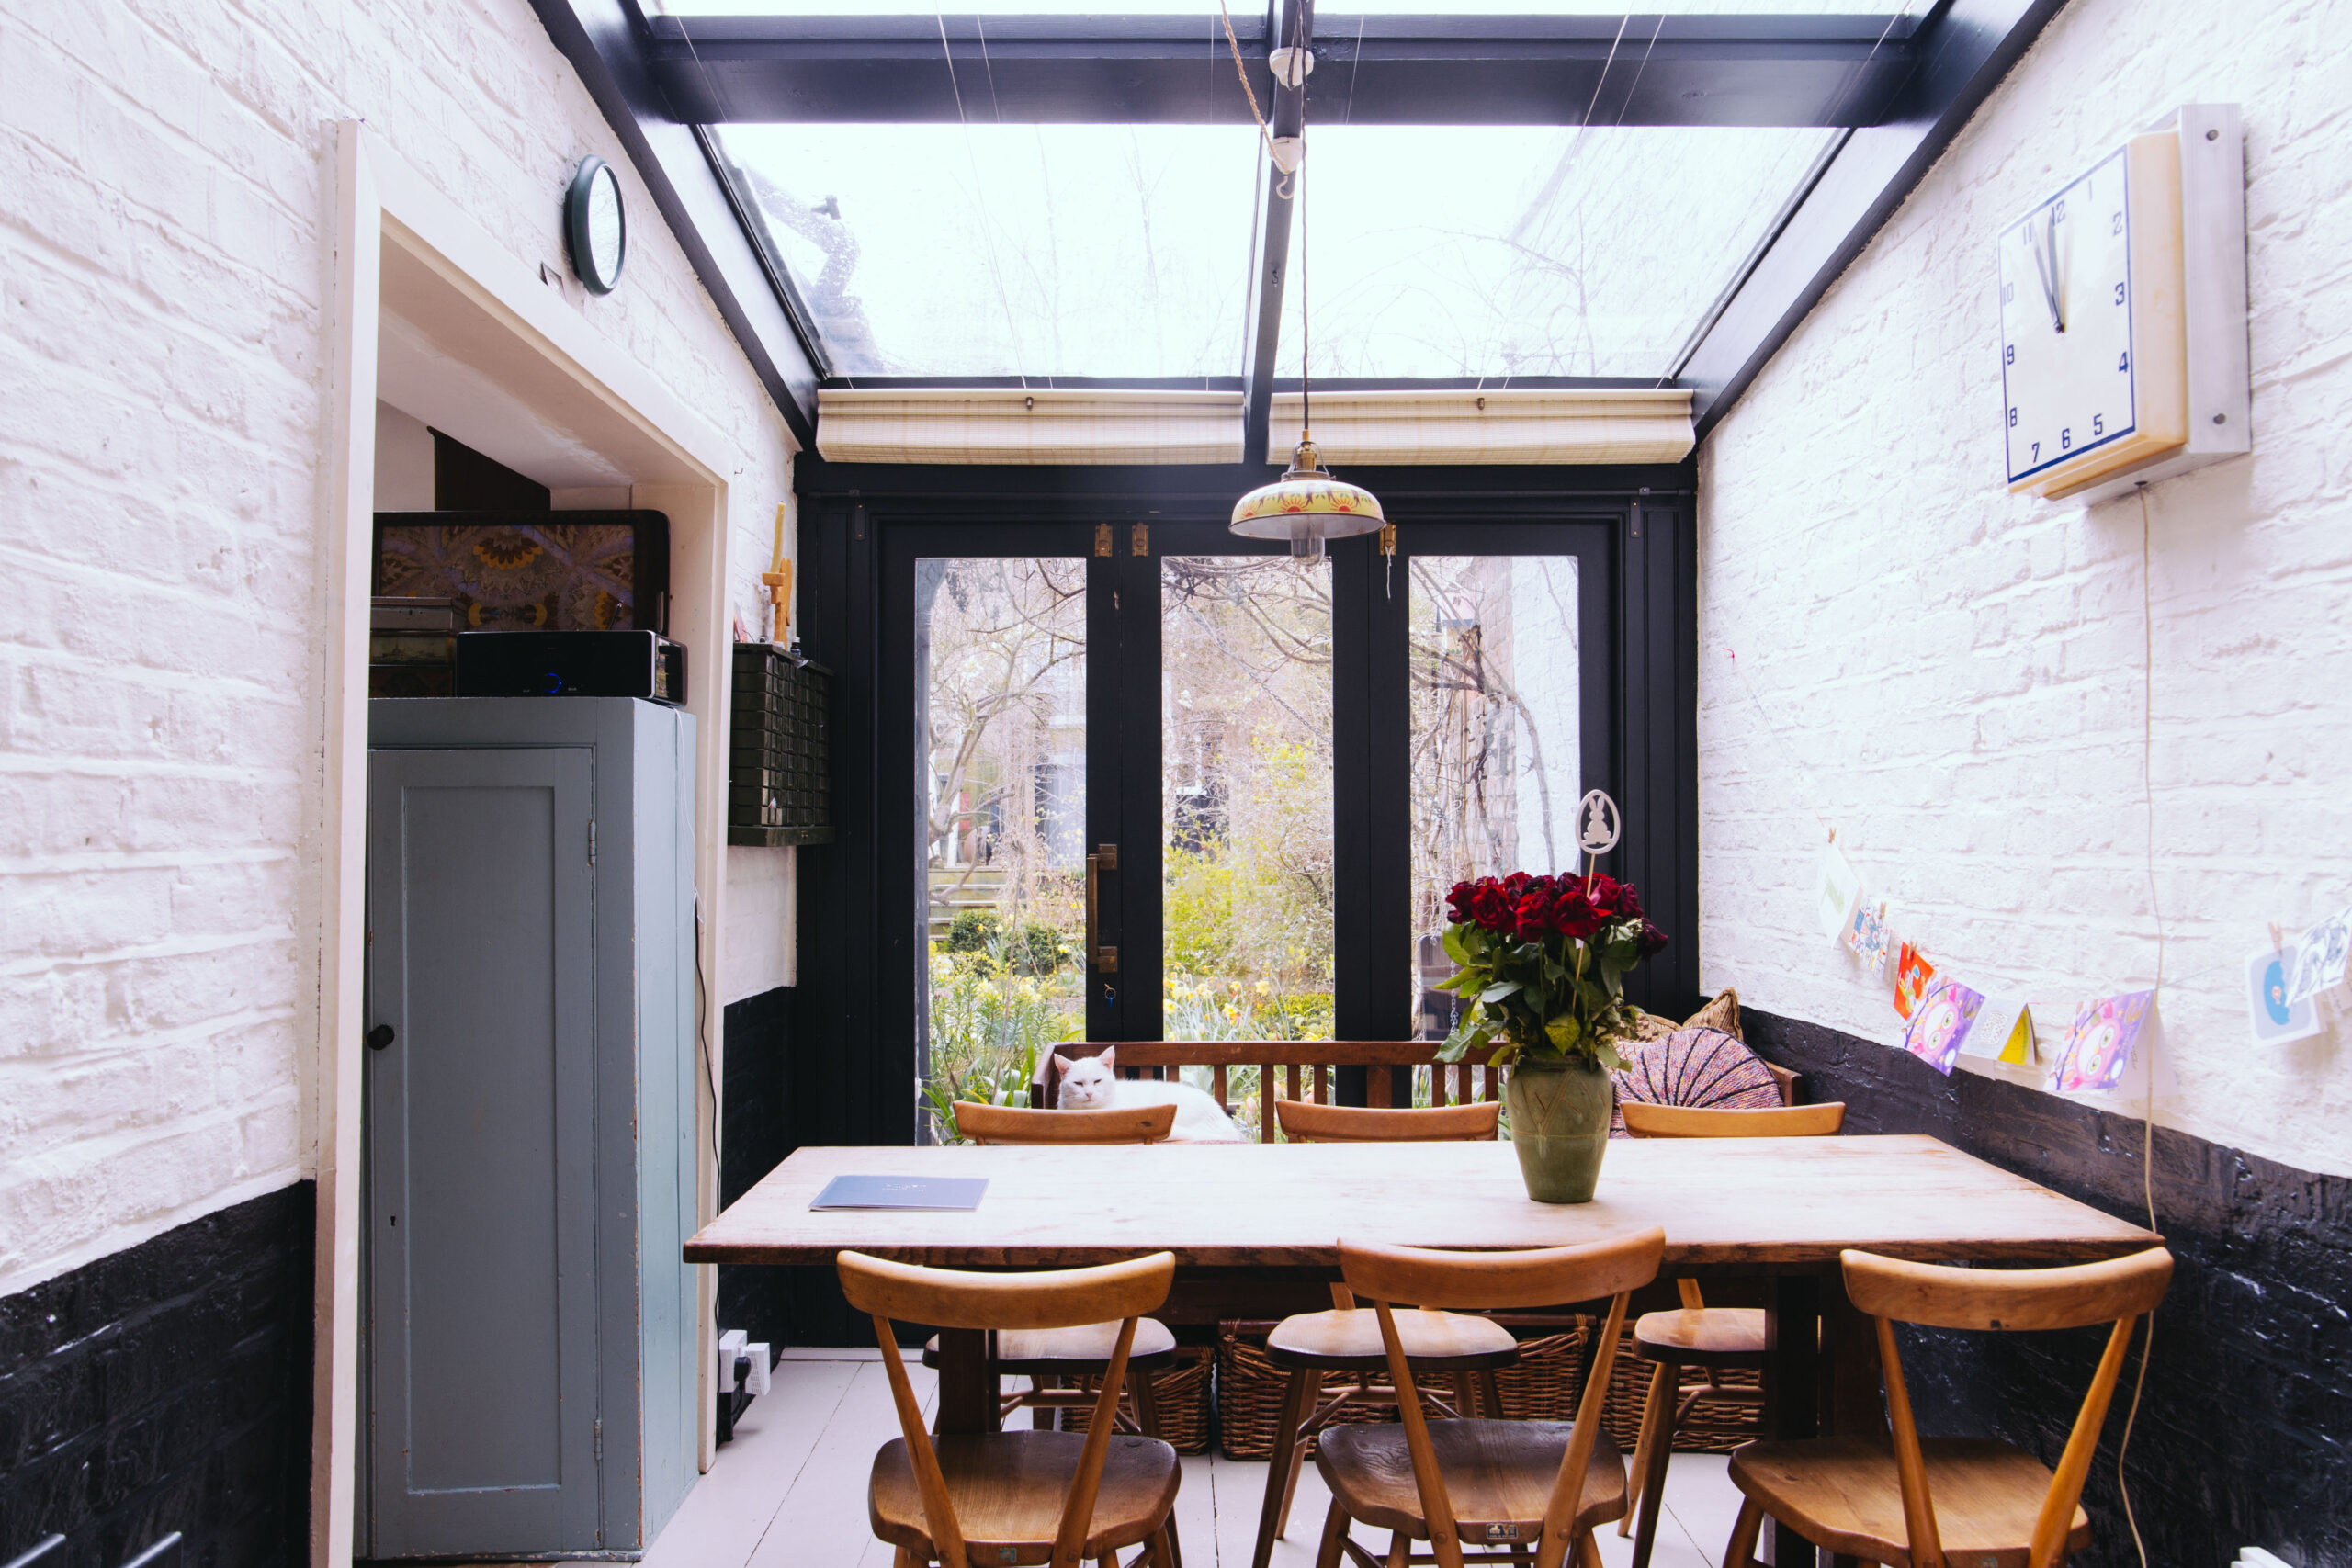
column 1017, row 1496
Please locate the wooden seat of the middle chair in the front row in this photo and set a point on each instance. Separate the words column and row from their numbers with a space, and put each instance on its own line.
column 1499, row 1477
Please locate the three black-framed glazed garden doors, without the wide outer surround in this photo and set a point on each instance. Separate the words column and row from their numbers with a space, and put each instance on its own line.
column 1156, row 782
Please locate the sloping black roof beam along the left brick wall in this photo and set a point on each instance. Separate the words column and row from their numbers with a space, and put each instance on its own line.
column 608, row 53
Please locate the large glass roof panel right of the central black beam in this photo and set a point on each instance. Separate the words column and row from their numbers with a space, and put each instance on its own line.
column 1528, row 253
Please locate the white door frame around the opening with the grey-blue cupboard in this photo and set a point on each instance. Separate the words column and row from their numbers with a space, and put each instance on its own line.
column 385, row 201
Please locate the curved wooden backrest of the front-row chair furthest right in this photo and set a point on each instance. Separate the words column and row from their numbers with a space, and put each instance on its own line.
column 2118, row 1292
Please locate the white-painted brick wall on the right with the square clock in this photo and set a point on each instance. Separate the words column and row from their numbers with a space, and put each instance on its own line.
column 1963, row 674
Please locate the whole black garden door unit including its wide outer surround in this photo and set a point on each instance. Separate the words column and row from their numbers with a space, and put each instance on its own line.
column 1321, row 749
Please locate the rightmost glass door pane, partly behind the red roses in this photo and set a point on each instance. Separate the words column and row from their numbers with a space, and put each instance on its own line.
column 1497, row 770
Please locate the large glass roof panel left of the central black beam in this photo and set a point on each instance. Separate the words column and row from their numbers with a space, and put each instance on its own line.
column 1013, row 250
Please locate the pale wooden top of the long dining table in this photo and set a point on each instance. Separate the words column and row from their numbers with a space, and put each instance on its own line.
column 1720, row 1200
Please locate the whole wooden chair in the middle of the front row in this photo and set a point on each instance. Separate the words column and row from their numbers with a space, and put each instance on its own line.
column 1530, row 1487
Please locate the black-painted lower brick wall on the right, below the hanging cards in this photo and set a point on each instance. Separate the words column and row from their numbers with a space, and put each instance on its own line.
column 2245, row 1433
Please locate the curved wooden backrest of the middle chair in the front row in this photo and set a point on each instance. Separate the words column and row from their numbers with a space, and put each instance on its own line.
column 1544, row 1278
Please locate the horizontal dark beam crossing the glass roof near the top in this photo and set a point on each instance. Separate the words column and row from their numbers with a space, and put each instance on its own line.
column 1405, row 69
